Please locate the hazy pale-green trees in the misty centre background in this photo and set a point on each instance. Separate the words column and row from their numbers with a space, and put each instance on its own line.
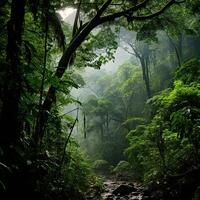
column 114, row 112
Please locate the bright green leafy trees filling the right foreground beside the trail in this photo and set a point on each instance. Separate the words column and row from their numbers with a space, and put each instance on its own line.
column 171, row 136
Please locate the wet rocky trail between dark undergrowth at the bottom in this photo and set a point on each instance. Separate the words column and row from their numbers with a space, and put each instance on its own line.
column 117, row 190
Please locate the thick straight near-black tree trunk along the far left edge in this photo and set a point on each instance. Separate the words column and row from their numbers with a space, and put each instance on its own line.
column 10, row 119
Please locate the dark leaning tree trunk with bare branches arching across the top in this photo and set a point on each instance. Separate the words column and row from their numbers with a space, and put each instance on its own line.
column 98, row 19
